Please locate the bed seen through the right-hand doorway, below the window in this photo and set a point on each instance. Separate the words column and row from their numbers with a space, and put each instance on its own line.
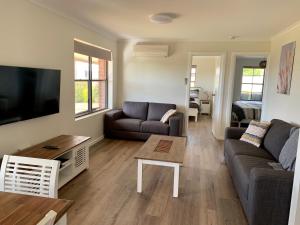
column 245, row 111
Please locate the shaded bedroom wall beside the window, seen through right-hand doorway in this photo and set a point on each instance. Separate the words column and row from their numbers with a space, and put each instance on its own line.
column 240, row 63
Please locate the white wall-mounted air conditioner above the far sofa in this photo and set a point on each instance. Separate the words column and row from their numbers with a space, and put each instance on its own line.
column 147, row 50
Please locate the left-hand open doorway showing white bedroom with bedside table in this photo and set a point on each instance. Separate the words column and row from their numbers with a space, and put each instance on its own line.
column 205, row 88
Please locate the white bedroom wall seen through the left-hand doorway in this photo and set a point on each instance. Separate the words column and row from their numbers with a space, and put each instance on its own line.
column 205, row 72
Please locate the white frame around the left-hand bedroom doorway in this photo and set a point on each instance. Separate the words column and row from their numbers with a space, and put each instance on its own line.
column 222, row 55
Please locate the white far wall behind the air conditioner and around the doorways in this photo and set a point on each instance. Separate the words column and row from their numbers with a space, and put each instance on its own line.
column 162, row 79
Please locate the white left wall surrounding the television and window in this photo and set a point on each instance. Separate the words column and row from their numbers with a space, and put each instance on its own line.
column 35, row 37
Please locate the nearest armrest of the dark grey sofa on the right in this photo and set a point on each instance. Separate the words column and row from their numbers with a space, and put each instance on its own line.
column 269, row 196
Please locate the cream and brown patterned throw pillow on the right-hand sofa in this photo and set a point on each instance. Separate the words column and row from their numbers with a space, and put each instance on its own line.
column 255, row 133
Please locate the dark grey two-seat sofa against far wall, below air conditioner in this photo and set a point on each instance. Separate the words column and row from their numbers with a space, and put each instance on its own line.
column 138, row 120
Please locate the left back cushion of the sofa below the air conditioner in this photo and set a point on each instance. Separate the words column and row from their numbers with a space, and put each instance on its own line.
column 136, row 110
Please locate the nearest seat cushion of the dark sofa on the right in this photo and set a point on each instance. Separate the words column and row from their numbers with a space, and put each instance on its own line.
column 241, row 168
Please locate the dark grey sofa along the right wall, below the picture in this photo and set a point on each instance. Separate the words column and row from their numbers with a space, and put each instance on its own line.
column 265, row 193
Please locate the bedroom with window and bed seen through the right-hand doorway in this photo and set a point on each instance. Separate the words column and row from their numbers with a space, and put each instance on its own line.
column 248, row 90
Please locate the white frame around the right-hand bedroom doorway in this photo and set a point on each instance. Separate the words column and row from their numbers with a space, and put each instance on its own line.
column 230, row 88
